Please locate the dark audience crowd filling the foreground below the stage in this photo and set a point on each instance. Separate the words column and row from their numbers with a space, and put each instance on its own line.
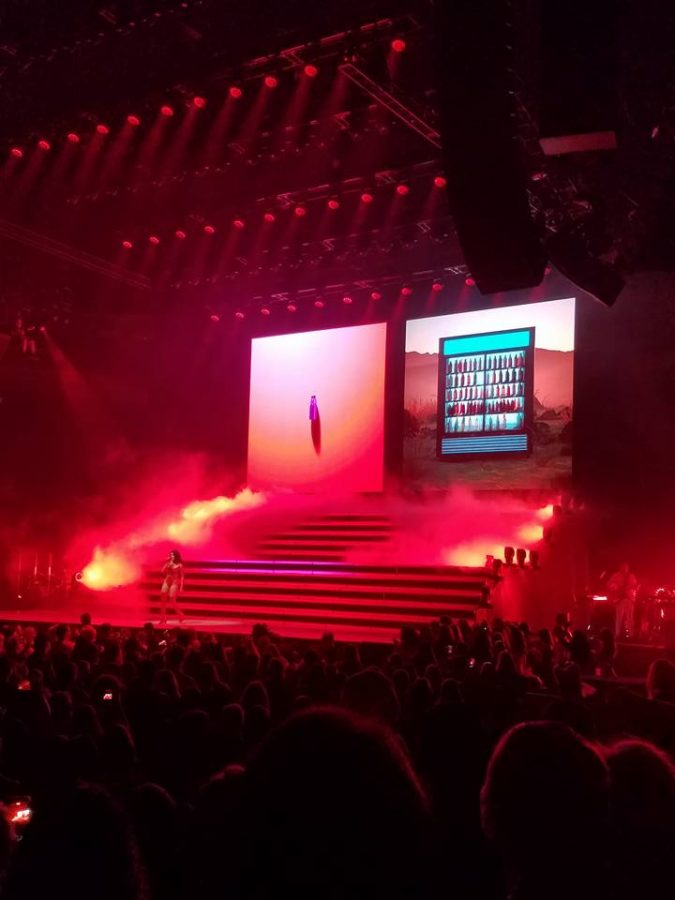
column 464, row 761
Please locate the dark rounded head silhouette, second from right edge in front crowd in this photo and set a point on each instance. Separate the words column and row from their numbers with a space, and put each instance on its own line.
column 545, row 804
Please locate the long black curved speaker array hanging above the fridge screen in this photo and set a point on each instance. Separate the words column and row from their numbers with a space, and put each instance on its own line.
column 481, row 151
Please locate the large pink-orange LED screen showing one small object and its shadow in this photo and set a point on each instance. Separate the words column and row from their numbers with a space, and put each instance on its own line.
column 316, row 410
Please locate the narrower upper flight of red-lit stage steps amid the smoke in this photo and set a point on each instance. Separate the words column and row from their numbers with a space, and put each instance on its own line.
column 327, row 538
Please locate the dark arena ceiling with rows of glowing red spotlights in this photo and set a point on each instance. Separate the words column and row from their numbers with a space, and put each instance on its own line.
column 281, row 152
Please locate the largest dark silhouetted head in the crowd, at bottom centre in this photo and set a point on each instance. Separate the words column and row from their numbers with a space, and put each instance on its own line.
column 332, row 807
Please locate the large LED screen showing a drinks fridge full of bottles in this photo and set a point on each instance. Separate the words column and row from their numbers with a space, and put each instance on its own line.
column 489, row 397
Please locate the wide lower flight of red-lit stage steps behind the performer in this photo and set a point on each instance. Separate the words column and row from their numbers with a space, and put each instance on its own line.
column 298, row 597
